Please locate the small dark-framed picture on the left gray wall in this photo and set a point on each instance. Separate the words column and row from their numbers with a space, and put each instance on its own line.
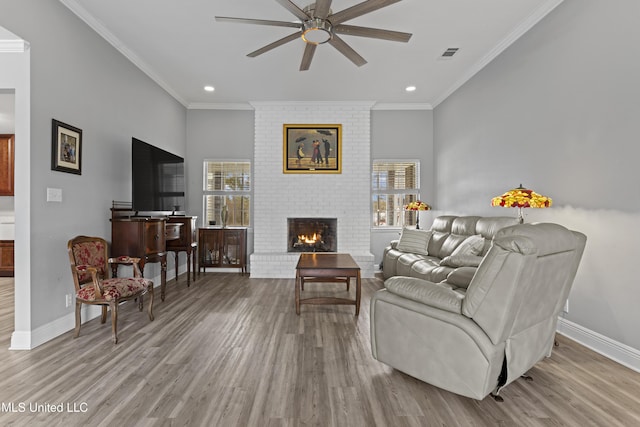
column 66, row 150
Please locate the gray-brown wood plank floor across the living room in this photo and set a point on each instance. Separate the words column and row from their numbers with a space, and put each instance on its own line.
column 230, row 351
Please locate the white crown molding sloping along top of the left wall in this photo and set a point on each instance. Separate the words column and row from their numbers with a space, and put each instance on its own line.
column 97, row 26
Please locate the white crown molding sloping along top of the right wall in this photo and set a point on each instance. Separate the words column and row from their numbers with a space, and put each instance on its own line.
column 517, row 32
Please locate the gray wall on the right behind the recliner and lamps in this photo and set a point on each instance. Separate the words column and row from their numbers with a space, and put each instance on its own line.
column 558, row 112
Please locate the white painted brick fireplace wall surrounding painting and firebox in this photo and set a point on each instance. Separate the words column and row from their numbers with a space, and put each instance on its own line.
column 278, row 196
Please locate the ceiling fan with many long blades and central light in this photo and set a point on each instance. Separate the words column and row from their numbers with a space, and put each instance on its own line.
column 318, row 24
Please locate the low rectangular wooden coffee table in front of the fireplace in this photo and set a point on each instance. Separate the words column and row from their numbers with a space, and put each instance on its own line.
column 327, row 268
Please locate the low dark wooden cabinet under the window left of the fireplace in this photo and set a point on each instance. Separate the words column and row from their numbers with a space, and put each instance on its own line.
column 222, row 247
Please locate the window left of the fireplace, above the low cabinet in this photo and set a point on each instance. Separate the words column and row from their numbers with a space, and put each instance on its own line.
column 227, row 183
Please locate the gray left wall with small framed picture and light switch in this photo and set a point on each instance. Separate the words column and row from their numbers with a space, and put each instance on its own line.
column 78, row 78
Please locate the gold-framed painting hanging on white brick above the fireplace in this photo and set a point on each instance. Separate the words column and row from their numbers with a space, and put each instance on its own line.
column 312, row 148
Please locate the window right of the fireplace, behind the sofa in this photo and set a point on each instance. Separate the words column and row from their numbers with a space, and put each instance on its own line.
column 395, row 184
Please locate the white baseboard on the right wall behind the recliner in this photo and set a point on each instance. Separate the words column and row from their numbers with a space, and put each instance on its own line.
column 614, row 350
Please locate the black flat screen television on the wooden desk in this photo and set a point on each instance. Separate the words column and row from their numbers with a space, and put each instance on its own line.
column 157, row 179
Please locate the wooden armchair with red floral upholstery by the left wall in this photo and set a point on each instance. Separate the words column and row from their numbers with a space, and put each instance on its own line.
column 90, row 271
